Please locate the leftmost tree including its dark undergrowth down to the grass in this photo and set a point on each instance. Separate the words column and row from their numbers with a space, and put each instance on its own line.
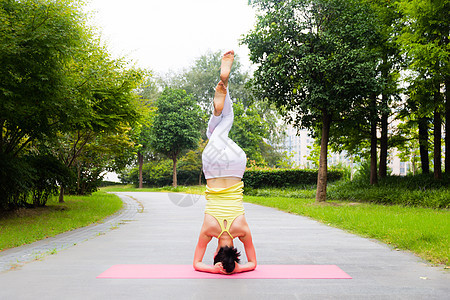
column 38, row 40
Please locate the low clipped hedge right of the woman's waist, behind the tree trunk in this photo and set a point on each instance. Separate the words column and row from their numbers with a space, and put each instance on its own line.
column 259, row 178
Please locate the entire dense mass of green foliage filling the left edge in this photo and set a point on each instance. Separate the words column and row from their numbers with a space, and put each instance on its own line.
column 61, row 93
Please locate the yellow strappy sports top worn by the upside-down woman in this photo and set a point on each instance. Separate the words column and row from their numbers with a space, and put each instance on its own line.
column 225, row 204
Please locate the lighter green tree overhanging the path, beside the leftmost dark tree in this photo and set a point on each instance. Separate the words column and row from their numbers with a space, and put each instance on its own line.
column 103, row 89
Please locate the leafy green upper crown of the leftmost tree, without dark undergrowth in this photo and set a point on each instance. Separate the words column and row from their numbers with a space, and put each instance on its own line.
column 37, row 40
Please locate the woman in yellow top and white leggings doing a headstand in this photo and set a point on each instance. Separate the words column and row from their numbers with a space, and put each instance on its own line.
column 224, row 165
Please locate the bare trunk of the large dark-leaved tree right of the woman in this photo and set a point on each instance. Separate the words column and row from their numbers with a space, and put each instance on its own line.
column 321, row 194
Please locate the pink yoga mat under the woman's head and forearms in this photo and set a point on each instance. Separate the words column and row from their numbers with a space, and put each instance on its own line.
column 261, row 272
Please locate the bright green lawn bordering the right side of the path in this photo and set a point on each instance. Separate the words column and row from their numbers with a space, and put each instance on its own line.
column 423, row 231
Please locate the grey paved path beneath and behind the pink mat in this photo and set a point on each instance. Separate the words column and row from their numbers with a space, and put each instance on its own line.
column 166, row 232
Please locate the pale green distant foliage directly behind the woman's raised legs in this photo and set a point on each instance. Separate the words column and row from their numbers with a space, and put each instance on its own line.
column 200, row 80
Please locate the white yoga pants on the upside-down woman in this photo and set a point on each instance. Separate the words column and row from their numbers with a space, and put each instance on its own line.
column 222, row 157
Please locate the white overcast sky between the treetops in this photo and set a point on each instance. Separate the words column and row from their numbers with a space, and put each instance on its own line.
column 164, row 35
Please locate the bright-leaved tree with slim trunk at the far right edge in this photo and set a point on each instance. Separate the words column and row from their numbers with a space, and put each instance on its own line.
column 424, row 39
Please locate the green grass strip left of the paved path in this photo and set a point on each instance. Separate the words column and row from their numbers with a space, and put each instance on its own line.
column 29, row 225
